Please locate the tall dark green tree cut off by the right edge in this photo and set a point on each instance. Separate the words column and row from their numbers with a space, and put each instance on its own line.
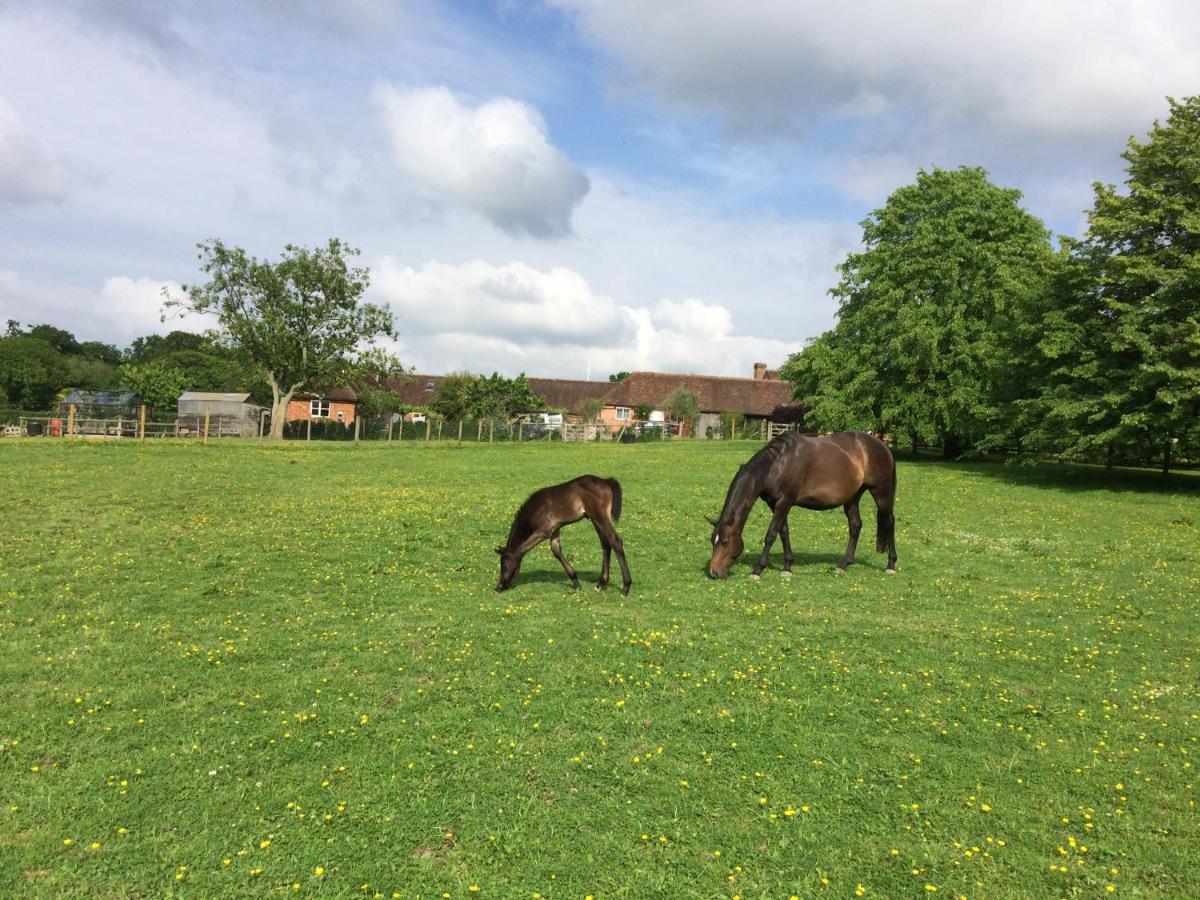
column 1137, row 380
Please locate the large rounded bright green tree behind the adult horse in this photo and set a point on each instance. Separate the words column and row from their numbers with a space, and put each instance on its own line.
column 927, row 313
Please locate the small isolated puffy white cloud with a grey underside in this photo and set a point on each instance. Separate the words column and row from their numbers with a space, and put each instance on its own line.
column 495, row 159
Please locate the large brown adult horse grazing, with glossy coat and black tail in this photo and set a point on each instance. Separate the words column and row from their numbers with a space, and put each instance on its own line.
column 815, row 473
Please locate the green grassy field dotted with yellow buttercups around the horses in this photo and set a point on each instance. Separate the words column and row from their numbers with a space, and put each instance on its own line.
column 283, row 670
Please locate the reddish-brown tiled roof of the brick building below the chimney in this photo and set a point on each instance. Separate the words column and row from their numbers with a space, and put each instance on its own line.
column 717, row 394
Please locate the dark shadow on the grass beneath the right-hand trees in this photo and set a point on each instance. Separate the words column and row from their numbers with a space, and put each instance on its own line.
column 1066, row 476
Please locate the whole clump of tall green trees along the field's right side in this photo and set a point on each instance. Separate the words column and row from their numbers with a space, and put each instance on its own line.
column 959, row 325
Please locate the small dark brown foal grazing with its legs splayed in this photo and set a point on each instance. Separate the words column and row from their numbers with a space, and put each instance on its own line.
column 548, row 511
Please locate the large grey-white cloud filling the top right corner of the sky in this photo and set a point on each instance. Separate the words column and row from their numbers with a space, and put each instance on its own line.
column 1023, row 70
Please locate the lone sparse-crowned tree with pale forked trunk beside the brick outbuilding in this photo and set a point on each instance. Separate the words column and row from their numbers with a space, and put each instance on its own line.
column 301, row 320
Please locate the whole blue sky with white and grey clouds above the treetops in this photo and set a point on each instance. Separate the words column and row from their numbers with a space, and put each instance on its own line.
column 556, row 187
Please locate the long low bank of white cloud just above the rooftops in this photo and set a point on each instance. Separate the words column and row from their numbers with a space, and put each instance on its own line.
column 511, row 319
